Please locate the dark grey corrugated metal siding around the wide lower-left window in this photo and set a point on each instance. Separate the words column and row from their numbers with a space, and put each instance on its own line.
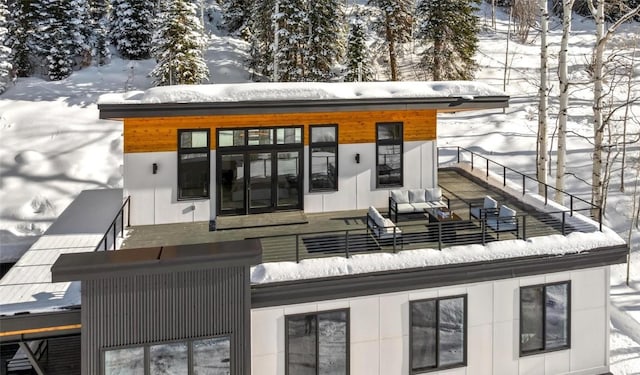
column 143, row 309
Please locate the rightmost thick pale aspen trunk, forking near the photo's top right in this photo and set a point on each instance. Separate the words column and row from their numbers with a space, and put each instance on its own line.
column 597, row 65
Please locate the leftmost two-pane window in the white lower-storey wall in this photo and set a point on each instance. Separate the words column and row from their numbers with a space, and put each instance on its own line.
column 317, row 343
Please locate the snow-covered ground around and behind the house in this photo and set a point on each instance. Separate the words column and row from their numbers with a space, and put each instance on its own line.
column 54, row 145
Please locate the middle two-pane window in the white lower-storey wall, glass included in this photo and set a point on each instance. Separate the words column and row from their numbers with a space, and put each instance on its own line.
column 438, row 334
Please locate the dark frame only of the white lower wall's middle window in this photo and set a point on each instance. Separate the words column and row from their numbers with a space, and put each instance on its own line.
column 437, row 339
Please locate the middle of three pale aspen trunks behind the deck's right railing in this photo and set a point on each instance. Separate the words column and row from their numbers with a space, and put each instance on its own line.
column 567, row 7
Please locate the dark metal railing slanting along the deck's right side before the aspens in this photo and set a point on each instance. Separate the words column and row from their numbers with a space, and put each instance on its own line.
column 575, row 203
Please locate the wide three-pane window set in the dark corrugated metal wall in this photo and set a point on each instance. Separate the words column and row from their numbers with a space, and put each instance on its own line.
column 205, row 356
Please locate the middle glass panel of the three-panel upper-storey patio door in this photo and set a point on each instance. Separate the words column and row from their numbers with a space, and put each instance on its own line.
column 260, row 182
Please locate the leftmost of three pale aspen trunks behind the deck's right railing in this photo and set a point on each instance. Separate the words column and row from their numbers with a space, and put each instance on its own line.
column 543, row 94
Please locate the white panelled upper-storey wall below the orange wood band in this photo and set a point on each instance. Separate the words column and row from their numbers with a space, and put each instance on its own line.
column 154, row 197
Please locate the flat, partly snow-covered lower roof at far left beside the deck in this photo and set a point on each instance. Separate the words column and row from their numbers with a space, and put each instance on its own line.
column 27, row 287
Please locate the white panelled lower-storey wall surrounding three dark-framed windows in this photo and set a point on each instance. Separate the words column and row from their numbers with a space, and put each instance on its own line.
column 379, row 329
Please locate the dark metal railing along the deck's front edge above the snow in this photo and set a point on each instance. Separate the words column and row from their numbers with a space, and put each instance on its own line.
column 411, row 235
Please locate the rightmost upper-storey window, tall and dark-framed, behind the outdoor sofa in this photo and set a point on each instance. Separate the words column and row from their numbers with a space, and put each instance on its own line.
column 389, row 154
